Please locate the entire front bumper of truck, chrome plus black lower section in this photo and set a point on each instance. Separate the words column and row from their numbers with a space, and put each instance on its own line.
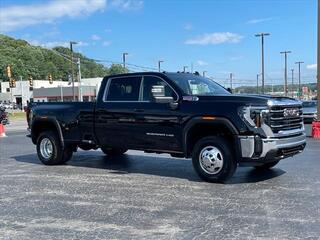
column 256, row 150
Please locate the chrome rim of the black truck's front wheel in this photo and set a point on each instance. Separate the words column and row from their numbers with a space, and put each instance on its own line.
column 211, row 160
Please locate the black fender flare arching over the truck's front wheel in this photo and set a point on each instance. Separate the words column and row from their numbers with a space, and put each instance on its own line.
column 197, row 120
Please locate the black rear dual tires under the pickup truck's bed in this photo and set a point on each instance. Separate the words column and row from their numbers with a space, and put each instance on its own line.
column 58, row 155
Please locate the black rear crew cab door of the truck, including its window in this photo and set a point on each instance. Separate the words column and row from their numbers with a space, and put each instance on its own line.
column 116, row 123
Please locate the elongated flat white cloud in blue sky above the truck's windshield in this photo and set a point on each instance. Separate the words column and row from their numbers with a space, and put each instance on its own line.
column 215, row 38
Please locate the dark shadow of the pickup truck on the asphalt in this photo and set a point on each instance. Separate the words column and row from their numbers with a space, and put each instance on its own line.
column 153, row 165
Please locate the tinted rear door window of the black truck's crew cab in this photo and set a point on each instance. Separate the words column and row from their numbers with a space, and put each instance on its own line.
column 124, row 89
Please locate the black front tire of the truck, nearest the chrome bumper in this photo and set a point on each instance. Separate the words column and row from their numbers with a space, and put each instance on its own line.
column 228, row 163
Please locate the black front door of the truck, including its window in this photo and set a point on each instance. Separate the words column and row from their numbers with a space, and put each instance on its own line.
column 160, row 127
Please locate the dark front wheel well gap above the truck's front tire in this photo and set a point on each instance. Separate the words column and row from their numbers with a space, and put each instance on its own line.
column 202, row 130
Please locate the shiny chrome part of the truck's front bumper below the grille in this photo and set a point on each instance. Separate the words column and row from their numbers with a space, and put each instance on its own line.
column 249, row 144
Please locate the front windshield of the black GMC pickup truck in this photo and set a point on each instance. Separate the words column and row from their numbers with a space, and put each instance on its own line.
column 196, row 85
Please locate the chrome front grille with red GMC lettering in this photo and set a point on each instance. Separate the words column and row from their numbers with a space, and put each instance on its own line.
column 279, row 120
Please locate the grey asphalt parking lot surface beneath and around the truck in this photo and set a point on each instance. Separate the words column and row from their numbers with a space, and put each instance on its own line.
column 149, row 196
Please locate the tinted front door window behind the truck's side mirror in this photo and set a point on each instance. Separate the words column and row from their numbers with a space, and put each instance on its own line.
column 149, row 81
